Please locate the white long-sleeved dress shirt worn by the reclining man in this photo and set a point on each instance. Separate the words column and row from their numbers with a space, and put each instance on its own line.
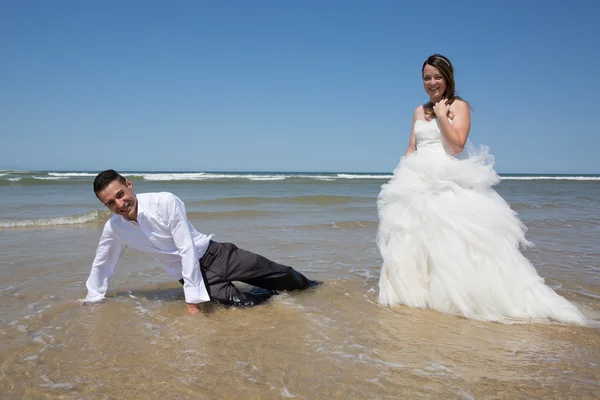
column 162, row 228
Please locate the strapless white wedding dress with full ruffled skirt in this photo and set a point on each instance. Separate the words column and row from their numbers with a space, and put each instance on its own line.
column 450, row 243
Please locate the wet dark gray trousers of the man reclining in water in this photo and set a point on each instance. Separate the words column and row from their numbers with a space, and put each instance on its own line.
column 225, row 262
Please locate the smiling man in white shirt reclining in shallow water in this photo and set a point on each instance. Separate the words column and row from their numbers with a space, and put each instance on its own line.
column 157, row 223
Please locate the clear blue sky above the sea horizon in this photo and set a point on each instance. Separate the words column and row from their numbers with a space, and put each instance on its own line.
column 290, row 86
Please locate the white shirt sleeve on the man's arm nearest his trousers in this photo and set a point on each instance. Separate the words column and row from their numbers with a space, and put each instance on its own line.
column 194, row 287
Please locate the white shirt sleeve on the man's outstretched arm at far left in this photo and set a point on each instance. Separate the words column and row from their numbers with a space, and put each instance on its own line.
column 108, row 253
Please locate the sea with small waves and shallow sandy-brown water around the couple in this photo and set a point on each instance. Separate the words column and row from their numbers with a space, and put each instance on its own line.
column 334, row 342
